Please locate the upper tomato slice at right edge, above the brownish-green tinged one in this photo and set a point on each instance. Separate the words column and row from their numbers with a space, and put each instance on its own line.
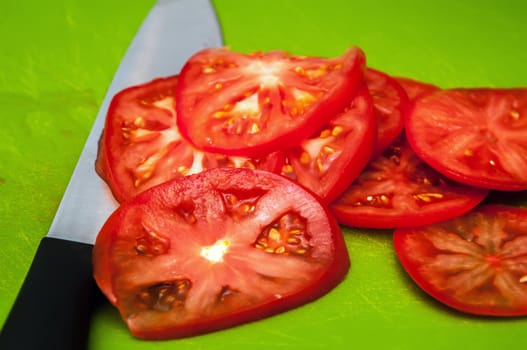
column 474, row 136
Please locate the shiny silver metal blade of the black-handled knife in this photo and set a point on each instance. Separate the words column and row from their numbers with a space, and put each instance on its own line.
column 173, row 31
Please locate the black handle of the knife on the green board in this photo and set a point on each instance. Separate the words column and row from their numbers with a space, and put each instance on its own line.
column 54, row 306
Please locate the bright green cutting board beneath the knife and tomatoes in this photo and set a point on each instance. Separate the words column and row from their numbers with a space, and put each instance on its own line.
column 58, row 57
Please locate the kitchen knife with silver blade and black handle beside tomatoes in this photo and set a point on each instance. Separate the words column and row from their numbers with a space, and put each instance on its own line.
column 54, row 305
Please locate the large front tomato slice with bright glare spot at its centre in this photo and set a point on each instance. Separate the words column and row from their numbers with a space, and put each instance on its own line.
column 215, row 249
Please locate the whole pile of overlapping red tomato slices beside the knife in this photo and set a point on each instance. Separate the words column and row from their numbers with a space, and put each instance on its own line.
column 285, row 145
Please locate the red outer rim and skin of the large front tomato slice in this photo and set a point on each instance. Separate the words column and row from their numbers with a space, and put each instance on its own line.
column 105, row 272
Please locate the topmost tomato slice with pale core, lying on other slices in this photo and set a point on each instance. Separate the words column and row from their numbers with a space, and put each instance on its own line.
column 254, row 104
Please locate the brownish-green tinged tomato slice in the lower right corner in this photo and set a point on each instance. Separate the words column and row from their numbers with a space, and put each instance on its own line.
column 476, row 263
